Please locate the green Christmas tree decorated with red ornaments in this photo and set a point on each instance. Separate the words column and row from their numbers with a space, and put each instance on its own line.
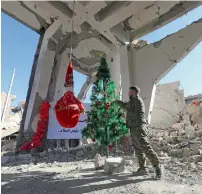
column 106, row 120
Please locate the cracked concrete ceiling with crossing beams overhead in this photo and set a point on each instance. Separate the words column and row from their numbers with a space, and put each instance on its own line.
column 98, row 25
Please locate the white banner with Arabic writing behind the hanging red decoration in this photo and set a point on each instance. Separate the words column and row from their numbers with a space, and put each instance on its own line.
column 55, row 131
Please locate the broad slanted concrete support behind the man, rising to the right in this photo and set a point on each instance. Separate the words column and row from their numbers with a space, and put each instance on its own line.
column 150, row 63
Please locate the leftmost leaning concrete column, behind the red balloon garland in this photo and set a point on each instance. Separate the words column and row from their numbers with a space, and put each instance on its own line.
column 42, row 77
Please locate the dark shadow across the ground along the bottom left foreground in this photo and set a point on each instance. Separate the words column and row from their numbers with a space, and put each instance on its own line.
column 45, row 183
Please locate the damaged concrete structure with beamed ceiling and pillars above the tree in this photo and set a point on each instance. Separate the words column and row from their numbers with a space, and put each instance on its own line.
column 108, row 28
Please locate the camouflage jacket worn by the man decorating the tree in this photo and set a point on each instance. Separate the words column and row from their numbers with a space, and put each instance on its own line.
column 135, row 108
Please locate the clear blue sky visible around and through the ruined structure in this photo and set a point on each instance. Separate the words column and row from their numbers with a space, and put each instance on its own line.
column 19, row 43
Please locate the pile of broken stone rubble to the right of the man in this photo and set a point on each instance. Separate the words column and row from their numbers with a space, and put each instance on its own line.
column 182, row 140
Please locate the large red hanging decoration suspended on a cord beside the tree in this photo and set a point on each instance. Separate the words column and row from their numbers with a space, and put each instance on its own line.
column 68, row 108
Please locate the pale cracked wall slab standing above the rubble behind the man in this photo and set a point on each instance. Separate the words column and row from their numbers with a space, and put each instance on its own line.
column 169, row 101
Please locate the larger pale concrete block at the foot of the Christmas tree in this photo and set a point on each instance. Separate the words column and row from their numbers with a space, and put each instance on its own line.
column 114, row 165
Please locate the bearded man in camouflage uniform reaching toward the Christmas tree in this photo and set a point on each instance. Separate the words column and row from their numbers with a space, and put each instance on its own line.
column 136, row 122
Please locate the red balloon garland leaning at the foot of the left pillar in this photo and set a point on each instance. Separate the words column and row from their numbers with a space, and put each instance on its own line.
column 41, row 126
